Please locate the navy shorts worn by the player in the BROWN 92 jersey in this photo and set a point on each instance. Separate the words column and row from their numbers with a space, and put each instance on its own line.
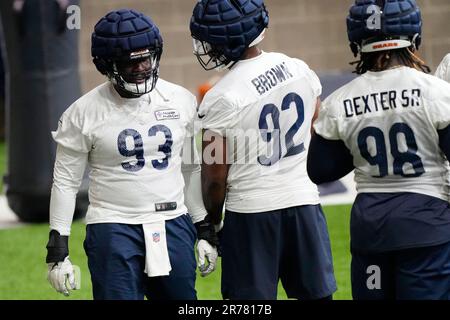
column 259, row 249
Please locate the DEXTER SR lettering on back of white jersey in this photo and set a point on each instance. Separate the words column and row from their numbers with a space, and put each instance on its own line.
column 382, row 101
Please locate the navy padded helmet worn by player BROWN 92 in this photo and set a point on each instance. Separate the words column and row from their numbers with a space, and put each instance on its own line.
column 223, row 29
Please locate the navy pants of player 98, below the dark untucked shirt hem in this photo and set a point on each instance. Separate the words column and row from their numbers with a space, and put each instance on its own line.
column 410, row 274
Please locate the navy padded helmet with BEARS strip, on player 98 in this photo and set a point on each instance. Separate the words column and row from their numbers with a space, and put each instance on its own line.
column 377, row 25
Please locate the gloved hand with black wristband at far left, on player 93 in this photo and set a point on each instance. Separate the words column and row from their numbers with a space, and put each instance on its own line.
column 61, row 274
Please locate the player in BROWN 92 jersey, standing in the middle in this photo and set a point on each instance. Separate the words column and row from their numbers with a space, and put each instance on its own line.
column 256, row 122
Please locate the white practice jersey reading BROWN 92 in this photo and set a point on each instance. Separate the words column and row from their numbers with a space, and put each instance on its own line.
column 264, row 107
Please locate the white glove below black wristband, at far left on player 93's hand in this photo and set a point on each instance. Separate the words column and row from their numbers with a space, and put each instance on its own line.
column 61, row 276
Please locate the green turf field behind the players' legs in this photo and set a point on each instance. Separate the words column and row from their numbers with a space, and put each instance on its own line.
column 23, row 270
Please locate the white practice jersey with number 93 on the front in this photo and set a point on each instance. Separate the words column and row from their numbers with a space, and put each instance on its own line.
column 134, row 149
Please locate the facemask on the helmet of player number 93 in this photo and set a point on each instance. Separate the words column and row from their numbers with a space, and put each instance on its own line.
column 136, row 83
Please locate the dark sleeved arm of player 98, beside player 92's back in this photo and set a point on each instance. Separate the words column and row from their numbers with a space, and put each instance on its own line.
column 328, row 160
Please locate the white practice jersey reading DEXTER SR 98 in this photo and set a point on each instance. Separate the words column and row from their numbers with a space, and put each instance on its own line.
column 389, row 121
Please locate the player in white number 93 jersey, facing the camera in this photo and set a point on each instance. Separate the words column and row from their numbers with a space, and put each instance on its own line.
column 131, row 131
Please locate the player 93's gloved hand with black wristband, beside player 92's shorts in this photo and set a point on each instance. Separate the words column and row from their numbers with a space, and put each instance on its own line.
column 208, row 242
